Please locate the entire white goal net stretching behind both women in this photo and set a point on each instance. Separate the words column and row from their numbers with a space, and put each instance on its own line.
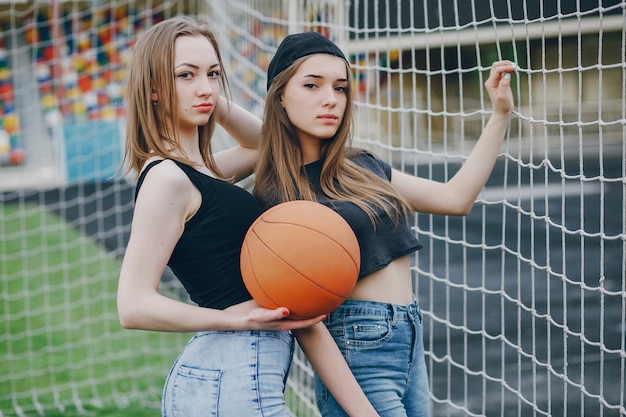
column 523, row 300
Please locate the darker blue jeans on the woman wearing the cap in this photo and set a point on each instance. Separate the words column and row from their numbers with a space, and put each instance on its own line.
column 383, row 345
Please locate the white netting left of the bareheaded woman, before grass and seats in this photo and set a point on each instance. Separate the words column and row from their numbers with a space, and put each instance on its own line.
column 63, row 221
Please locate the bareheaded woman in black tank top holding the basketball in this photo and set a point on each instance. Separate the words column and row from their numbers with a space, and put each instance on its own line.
column 189, row 215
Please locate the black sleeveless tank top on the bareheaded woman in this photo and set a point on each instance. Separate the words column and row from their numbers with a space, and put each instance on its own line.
column 206, row 258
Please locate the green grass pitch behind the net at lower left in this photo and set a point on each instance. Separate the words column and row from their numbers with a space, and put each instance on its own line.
column 62, row 348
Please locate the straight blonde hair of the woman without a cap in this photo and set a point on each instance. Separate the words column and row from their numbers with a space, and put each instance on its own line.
column 151, row 125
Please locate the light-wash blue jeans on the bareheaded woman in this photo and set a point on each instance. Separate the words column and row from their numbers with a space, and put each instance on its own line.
column 230, row 373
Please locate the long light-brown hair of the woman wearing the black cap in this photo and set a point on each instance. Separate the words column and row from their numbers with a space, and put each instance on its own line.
column 279, row 173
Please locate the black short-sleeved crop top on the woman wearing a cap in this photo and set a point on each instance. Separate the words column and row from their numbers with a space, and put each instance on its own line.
column 380, row 245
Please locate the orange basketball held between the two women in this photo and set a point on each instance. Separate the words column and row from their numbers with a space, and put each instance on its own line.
column 301, row 255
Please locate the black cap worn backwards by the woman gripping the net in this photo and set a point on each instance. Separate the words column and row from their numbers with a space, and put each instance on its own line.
column 296, row 46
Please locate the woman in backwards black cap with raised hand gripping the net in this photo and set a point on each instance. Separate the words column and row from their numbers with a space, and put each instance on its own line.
column 306, row 154
